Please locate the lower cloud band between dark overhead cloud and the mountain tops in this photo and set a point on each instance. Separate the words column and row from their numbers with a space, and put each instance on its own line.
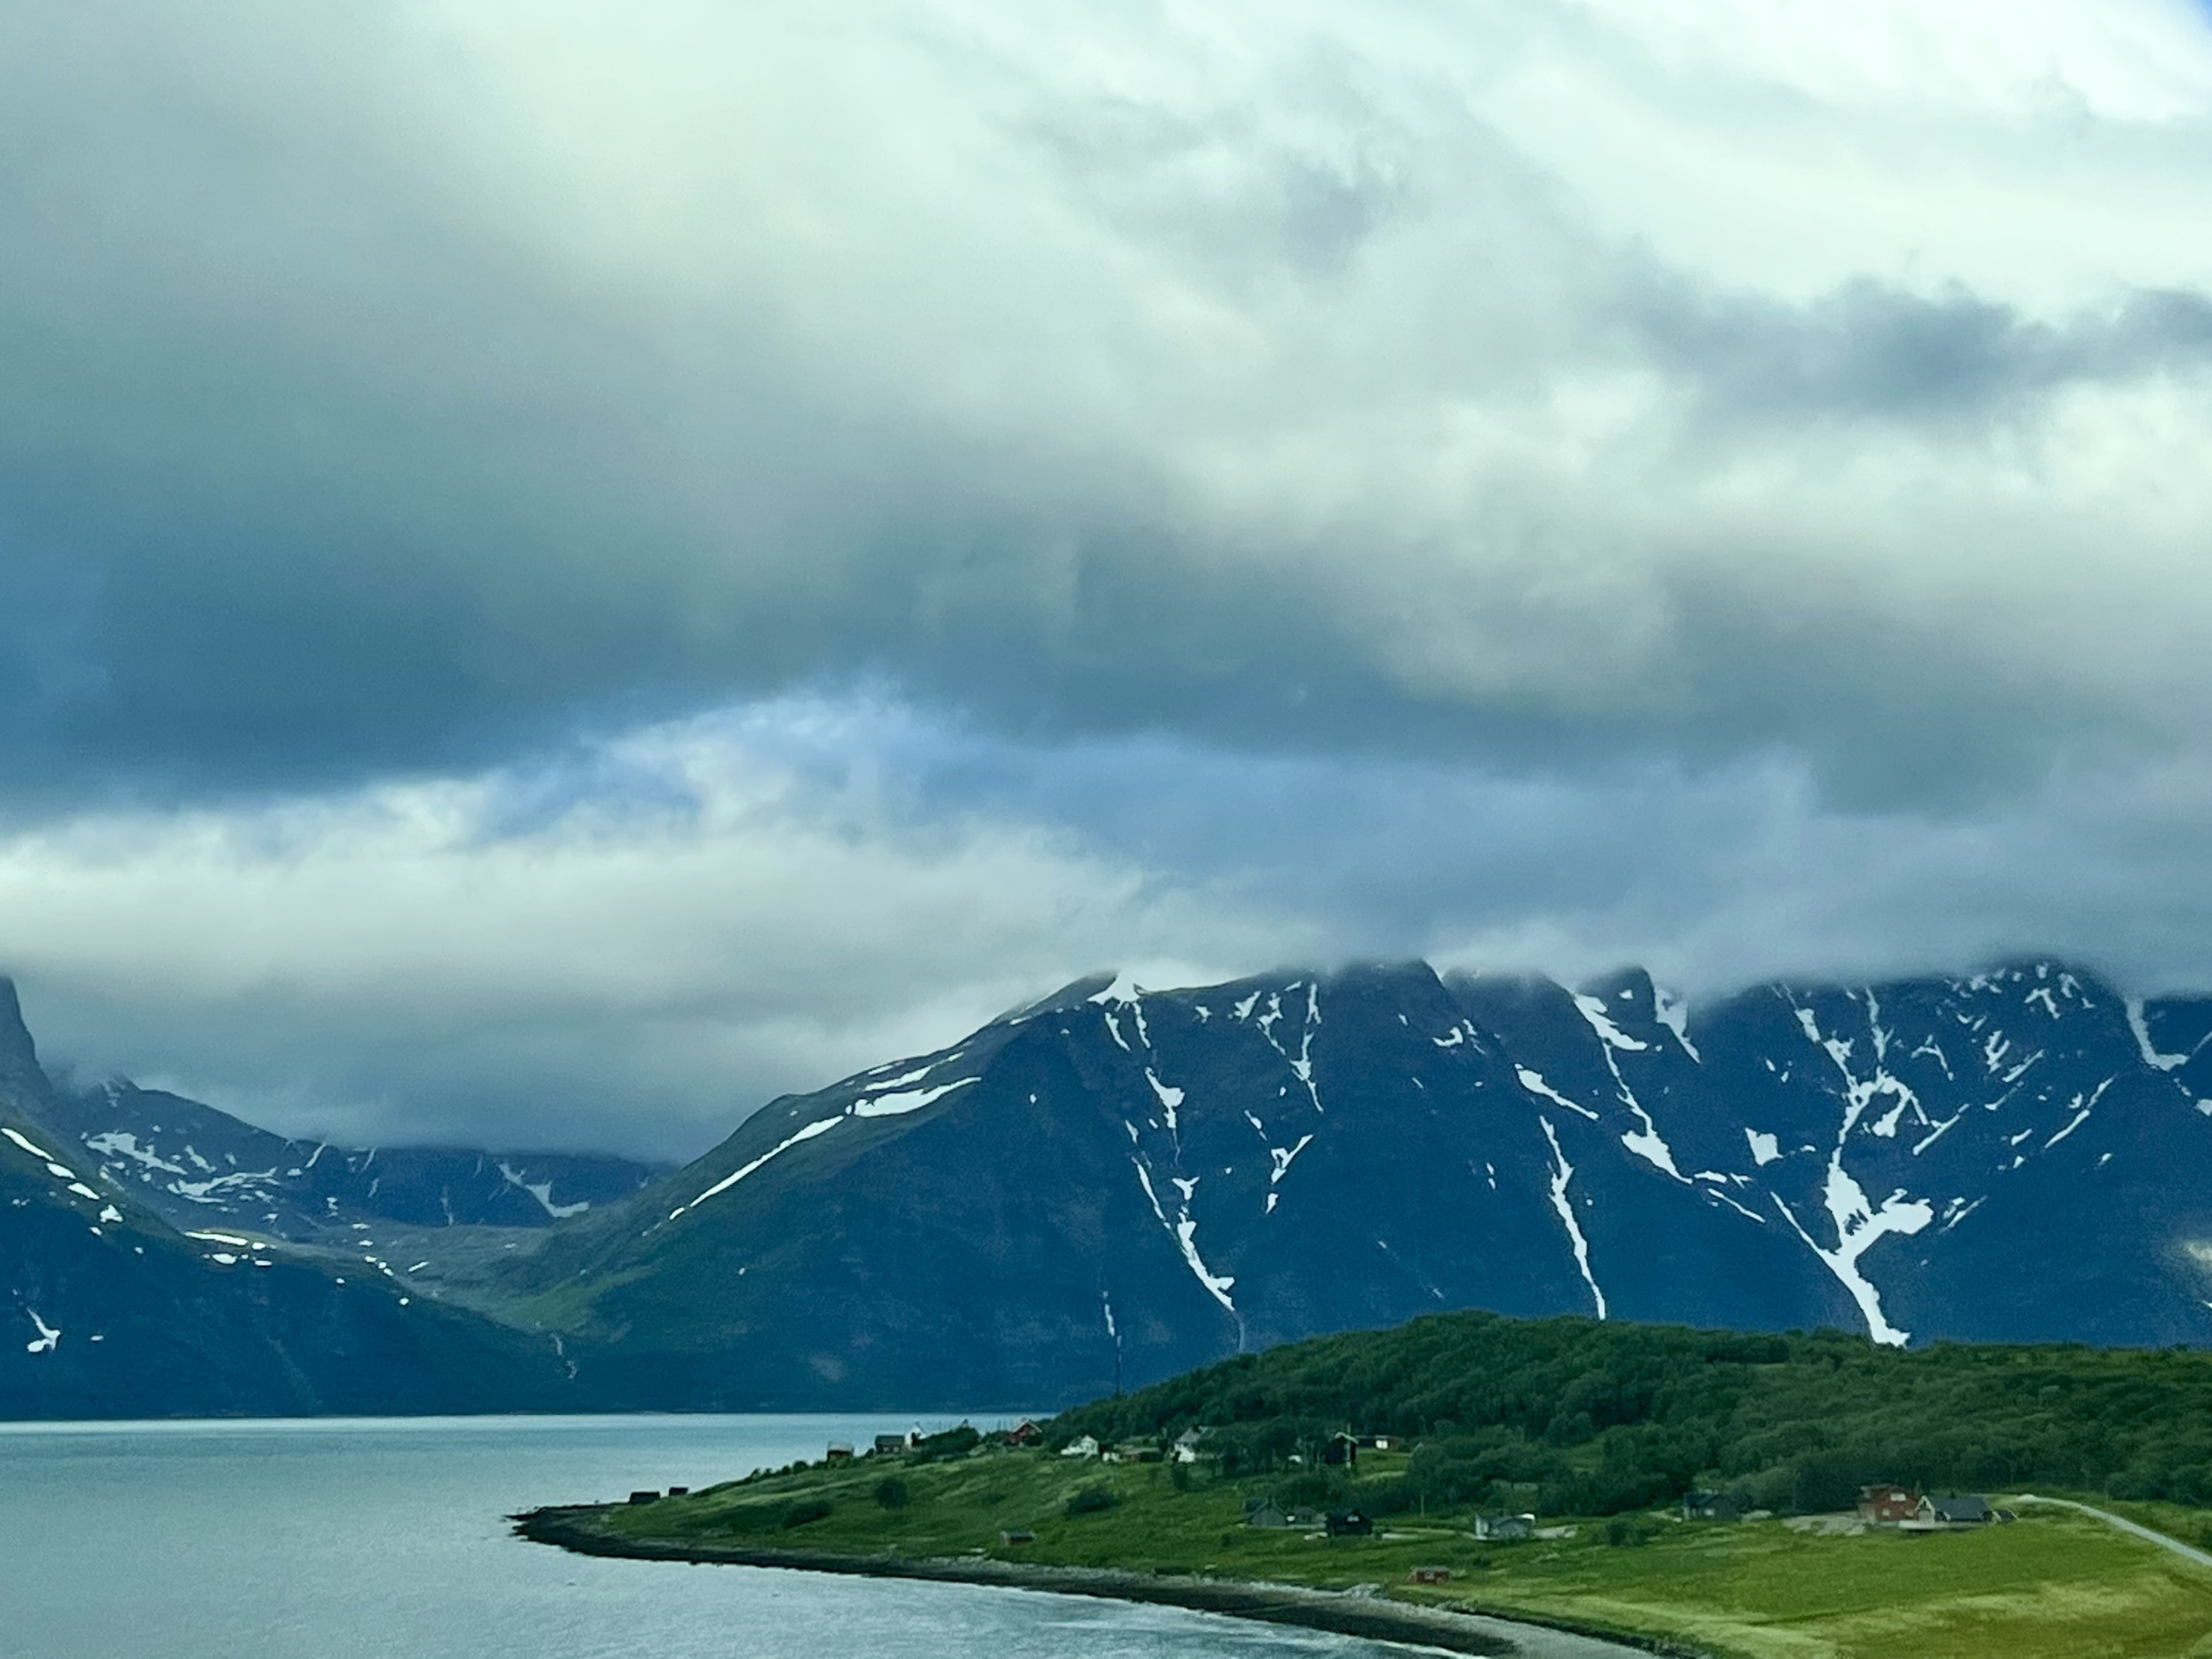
column 640, row 941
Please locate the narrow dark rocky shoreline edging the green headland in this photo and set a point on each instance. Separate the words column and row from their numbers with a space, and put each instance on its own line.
column 1370, row 1618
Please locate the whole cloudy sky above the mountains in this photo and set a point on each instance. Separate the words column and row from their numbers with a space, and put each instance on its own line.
column 567, row 570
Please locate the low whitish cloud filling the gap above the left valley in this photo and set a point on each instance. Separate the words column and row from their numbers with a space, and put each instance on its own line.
column 632, row 948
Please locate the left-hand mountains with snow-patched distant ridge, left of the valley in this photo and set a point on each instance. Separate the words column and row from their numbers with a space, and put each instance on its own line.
column 165, row 1260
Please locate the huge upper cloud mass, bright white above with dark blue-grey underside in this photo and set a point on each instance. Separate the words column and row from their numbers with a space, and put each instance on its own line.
column 1151, row 364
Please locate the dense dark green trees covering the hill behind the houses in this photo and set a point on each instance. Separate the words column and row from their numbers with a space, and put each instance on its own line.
column 1592, row 1419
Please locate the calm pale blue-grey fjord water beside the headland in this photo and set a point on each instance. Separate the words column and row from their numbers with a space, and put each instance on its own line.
column 388, row 1541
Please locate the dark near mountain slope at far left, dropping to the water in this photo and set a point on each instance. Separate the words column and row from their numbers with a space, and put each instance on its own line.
column 109, row 1311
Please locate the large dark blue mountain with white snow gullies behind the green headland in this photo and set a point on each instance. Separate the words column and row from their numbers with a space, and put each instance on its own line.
column 1118, row 1185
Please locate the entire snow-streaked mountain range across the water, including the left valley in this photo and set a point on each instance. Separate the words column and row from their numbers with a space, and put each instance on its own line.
column 1118, row 1185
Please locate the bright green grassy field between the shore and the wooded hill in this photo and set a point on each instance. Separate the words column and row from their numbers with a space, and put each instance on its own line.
column 2047, row 1587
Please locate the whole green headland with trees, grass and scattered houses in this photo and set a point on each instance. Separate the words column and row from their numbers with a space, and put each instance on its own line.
column 1598, row 1432
